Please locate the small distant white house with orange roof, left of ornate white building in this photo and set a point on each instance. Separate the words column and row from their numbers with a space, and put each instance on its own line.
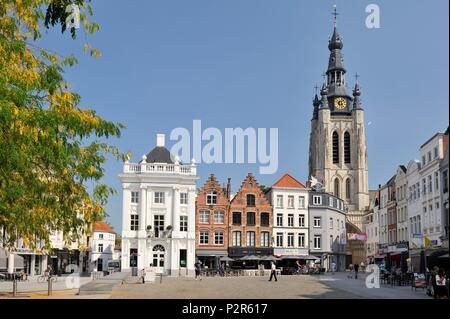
column 101, row 245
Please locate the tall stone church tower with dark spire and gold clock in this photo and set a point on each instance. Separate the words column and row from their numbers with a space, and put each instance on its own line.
column 338, row 152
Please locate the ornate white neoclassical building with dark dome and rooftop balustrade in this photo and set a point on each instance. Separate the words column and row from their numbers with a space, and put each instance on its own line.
column 158, row 215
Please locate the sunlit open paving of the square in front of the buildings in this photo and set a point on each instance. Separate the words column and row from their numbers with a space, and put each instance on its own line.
column 336, row 286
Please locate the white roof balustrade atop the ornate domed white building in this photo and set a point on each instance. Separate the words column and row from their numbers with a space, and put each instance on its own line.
column 146, row 168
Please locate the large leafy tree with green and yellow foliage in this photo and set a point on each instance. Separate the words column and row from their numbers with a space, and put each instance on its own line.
column 49, row 146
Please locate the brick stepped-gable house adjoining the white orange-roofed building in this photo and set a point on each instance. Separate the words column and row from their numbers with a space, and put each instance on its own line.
column 250, row 219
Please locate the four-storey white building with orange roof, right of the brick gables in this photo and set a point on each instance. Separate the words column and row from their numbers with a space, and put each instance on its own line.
column 289, row 199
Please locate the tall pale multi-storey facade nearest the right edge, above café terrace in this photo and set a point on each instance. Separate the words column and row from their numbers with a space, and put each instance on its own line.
column 432, row 152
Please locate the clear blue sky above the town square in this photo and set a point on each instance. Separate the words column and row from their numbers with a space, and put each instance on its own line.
column 254, row 63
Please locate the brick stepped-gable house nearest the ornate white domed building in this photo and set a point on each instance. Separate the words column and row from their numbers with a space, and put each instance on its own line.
column 211, row 222
